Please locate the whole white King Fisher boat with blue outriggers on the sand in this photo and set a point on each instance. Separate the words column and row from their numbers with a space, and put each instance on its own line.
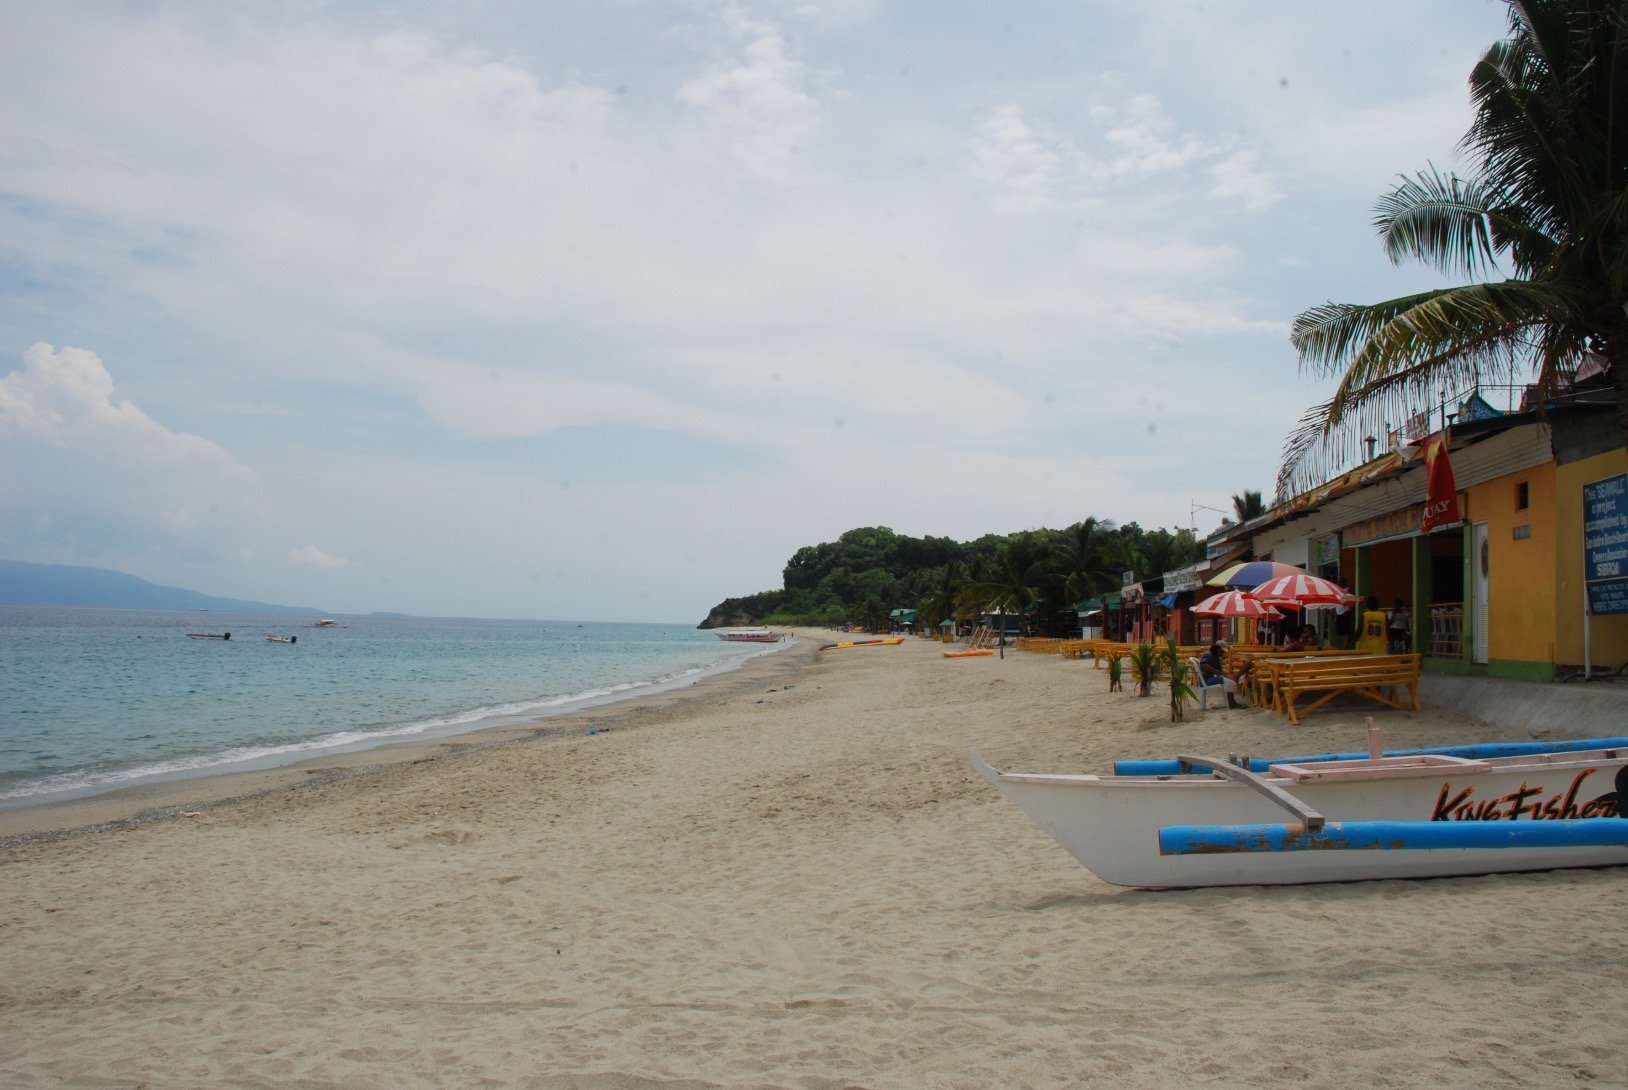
column 1337, row 817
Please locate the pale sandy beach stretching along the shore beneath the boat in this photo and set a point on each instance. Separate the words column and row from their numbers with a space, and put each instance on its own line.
column 787, row 876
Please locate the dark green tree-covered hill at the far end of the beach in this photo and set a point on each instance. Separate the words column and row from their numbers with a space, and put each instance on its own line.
column 870, row 572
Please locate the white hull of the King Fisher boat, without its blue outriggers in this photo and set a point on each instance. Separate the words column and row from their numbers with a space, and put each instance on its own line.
column 1111, row 824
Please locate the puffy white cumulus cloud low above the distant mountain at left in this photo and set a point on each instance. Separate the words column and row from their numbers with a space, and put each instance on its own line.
column 94, row 474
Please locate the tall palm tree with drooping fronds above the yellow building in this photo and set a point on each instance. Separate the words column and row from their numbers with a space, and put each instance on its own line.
column 1547, row 198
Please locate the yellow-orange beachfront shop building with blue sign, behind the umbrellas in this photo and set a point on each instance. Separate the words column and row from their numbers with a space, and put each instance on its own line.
column 1531, row 577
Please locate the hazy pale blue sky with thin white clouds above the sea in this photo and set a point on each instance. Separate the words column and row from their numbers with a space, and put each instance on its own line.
column 603, row 310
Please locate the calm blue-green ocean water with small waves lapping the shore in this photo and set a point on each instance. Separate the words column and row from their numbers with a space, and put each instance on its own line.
column 94, row 700
